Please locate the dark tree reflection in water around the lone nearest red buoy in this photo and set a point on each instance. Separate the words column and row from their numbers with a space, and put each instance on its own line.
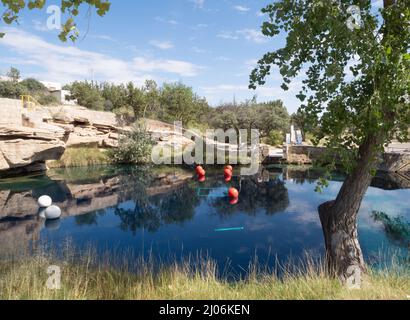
column 272, row 196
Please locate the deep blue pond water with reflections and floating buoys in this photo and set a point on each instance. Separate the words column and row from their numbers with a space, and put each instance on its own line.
column 169, row 215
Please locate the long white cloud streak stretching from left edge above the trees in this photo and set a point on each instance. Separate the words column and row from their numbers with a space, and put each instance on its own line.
column 64, row 63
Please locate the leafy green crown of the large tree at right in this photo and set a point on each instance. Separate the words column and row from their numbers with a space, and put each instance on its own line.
column 356, row 83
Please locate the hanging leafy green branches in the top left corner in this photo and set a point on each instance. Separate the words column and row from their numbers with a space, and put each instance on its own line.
column 69, row 7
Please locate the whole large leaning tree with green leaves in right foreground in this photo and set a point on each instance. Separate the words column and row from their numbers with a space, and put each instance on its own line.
column 356, row 80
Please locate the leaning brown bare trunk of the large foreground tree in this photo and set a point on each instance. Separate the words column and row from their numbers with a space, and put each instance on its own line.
column 339, row 219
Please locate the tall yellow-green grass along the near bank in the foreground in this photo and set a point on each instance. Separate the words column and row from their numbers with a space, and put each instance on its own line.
column 25, row 278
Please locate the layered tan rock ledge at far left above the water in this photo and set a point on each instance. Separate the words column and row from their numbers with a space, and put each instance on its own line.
column 30, row 137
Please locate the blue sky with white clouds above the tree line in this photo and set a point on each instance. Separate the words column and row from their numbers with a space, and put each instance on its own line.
column 210, row 45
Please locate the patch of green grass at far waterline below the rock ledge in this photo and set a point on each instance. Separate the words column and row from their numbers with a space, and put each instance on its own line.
column 81, row 157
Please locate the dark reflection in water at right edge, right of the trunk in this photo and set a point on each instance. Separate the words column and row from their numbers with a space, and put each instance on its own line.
column 397, row 229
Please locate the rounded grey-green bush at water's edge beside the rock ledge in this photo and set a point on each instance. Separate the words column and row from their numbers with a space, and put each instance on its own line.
column 133, row 147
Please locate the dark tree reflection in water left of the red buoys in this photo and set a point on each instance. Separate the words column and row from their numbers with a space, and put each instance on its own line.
column 150, row 212
